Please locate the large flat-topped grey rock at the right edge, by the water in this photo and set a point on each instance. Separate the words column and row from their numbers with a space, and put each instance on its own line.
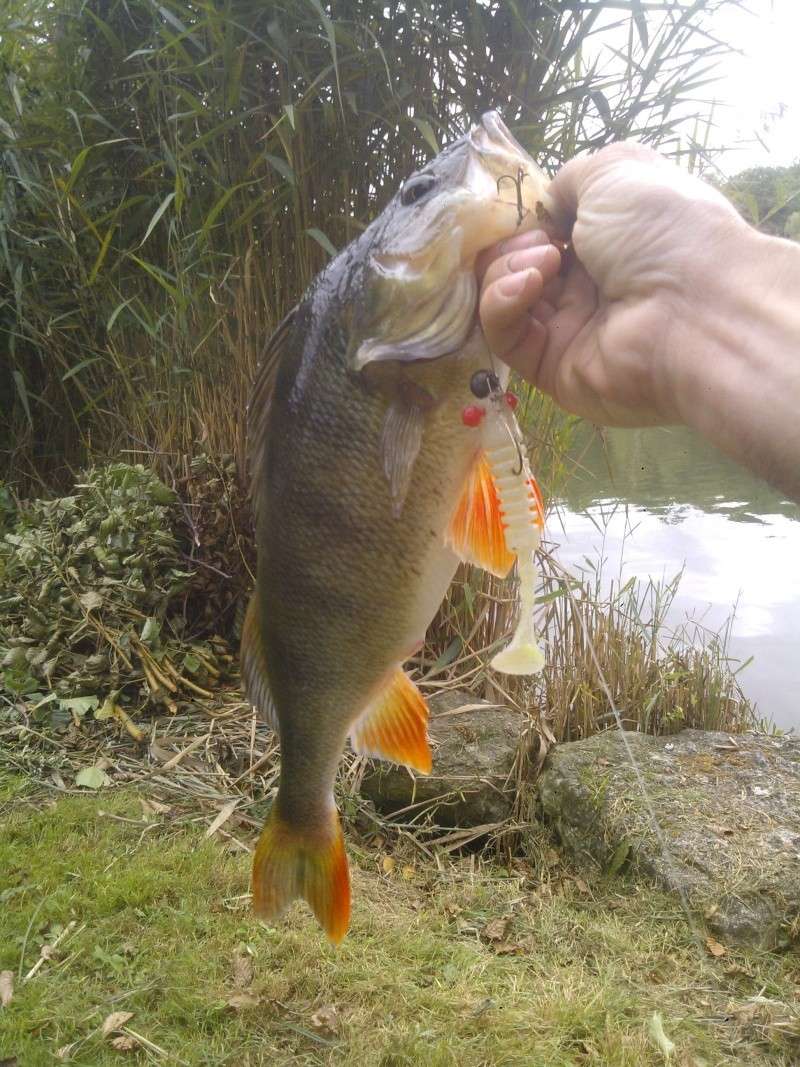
column 729, row 811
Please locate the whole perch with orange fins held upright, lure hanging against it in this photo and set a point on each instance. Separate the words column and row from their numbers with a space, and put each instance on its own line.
column 383, row 450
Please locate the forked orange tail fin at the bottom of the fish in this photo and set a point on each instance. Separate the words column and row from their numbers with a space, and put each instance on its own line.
column 293, row 862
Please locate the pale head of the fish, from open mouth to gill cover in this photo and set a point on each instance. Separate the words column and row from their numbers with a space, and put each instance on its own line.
column 421, row 291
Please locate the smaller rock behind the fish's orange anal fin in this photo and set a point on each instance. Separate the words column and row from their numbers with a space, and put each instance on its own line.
column 475, row 750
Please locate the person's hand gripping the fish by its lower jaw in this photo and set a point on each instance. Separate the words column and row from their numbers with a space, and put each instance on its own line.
column 602, row 327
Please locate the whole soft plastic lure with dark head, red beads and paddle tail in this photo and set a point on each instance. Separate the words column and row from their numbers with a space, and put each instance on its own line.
column 519, row 503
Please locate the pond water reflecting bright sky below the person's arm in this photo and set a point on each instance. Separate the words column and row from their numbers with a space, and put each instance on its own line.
column 652, row 502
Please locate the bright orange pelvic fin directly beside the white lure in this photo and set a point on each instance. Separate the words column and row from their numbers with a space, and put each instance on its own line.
column 477, row 533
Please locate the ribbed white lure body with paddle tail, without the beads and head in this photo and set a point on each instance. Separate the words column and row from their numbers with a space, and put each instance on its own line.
column 522, row 518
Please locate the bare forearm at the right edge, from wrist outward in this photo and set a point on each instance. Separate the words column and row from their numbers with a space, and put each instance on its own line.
column 739, row 383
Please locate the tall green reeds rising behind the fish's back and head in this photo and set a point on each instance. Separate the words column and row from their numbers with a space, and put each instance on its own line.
column 173, row 176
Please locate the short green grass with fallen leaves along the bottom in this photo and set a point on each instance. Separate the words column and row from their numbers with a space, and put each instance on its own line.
column 452, row 963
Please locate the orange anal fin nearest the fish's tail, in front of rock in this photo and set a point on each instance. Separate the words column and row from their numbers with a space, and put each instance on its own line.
column 395, row 726
